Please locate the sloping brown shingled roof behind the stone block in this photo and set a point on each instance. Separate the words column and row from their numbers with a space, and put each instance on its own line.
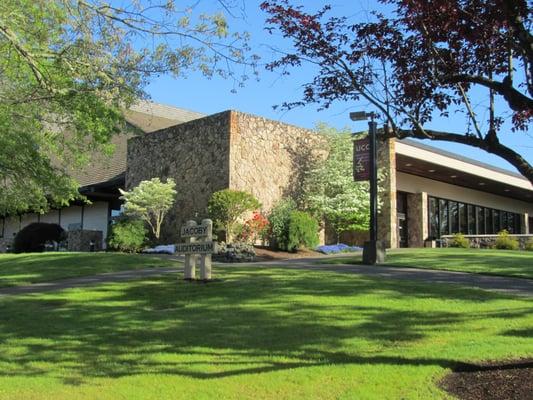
column 146, row 117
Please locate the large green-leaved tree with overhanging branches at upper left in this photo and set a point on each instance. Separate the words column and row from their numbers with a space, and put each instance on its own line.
column 68, row 68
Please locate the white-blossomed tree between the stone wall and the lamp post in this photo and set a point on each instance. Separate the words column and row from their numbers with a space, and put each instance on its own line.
column 330, row 192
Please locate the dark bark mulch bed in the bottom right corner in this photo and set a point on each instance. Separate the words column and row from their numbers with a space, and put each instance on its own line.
column 508, row 380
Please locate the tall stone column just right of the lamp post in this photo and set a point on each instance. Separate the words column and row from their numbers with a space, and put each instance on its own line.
column 387, row 219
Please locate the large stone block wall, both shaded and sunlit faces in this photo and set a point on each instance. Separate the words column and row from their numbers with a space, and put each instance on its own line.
column 226, row 150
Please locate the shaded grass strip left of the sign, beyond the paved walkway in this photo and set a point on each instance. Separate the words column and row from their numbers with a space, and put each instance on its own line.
column 25, row 269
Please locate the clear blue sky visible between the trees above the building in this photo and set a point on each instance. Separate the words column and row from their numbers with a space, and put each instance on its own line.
column 258, row 97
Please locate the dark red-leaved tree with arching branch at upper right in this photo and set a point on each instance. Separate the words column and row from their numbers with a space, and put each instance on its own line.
column 428, row 59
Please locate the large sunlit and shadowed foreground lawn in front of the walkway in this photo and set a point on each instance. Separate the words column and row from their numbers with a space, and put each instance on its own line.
column 255, row 334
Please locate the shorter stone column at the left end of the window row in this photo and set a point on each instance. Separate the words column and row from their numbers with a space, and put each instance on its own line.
column 417, row 218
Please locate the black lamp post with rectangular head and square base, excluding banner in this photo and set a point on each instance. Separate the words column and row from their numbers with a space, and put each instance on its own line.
column 373, row 250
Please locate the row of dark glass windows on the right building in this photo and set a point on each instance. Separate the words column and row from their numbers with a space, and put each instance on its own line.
column 447, row 217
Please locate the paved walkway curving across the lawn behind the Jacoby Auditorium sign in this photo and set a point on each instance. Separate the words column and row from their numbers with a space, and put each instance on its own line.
column 507, row 285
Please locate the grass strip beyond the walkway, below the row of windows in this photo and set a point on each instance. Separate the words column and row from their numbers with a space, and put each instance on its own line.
column 479, row 261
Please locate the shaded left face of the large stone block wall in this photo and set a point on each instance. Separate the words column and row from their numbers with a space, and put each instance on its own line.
column 195, row 154
